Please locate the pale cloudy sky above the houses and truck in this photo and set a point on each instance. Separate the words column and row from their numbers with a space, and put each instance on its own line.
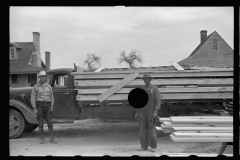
column 160, row 34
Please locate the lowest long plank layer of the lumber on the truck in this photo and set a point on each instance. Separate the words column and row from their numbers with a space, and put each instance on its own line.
column 185, row 96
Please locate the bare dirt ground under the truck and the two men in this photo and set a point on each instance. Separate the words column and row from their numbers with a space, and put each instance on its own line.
column 94, row 137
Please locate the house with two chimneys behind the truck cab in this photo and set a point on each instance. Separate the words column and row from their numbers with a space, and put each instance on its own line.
column 25, row 62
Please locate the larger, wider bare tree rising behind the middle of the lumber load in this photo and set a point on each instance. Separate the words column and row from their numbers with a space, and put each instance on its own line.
column 131, row 59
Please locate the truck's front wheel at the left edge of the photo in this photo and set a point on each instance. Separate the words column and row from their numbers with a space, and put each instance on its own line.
column 16, row 124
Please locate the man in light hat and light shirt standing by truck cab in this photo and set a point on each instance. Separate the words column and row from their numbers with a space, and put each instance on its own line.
column 42, row 101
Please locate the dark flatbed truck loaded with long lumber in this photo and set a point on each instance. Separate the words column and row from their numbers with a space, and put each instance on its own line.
column 77, row 93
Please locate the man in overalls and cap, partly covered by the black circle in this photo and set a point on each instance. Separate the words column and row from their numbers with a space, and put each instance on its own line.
column 147, row 114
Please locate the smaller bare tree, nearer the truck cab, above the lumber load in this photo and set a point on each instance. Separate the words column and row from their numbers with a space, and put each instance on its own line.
column 91, row 61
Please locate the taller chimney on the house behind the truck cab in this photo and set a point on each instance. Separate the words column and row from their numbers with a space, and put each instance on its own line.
column 36, row 49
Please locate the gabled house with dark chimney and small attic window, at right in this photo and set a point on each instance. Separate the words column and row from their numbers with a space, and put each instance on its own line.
column 213, row 51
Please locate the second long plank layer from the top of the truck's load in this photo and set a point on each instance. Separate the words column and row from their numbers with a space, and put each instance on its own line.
column 157, row 82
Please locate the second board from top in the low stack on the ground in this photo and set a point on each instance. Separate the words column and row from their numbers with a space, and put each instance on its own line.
column 202, row 128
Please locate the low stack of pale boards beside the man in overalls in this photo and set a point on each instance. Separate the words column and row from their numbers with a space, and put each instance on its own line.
column 200, row 128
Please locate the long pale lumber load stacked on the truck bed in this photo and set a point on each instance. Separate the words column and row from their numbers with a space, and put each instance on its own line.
column 187, row 85
